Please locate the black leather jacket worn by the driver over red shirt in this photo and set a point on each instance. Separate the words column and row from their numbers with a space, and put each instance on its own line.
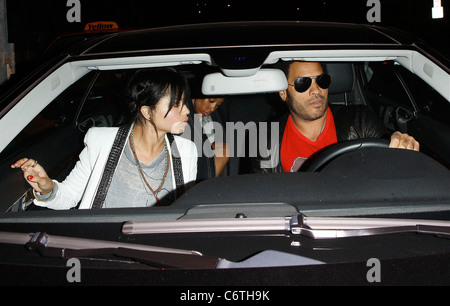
column 351, row 122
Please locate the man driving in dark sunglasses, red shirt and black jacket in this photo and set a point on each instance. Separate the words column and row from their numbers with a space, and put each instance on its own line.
column 311, row 125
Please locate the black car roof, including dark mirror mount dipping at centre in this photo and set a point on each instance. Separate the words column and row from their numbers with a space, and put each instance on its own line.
column 226, row 43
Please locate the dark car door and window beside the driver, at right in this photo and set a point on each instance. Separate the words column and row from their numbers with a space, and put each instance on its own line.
column 408, row 104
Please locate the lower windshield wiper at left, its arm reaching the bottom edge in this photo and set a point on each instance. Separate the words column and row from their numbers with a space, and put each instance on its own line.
column 69, row 247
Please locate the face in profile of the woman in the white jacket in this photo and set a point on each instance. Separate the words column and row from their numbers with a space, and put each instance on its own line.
column 175, row 121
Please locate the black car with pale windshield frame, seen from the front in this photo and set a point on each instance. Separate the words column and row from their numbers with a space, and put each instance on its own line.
column 363, row 214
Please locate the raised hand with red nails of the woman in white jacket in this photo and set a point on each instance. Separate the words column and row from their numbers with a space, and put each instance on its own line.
column 35, row 175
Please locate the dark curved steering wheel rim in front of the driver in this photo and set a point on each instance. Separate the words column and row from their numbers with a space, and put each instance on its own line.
column 314, row 164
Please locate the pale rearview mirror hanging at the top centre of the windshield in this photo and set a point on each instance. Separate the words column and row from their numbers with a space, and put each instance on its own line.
column 264, row 80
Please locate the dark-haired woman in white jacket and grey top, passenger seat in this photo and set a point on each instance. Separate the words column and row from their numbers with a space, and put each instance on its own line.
column 136, row 165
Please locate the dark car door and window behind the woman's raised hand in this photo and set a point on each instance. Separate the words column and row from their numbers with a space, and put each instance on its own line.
column 55, row 137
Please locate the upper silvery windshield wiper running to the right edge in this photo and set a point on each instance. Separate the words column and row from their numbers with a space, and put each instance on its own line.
column 313, row 227
